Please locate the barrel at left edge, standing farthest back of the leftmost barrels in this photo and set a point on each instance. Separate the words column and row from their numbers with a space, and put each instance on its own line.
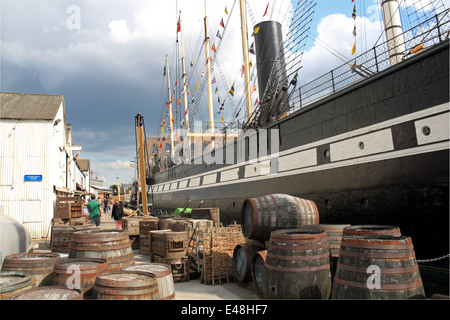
column 39, row 266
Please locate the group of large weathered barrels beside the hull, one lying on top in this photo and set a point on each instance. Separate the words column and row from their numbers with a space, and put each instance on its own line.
column 289, row 255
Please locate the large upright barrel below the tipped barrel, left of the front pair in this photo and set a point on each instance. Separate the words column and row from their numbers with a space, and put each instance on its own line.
column 297, row 265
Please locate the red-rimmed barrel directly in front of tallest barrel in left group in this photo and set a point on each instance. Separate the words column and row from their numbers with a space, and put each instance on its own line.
column 78, row 273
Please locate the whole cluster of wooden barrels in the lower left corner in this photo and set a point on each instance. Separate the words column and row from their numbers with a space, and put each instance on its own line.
column 100, row 266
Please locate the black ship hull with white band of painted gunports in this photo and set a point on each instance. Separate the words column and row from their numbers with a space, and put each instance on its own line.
column 374, row 153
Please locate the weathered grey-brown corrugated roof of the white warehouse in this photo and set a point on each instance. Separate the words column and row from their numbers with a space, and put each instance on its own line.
column 27, row 106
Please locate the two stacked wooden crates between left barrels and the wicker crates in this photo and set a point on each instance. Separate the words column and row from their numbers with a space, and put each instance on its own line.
column 170, row 247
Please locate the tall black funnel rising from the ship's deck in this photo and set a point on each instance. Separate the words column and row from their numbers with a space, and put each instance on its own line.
column 270, row 59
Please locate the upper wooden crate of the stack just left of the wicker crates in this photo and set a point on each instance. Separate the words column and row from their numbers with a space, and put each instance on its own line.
column 169, row 244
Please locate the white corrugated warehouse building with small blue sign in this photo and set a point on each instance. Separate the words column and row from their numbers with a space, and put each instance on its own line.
column 36, row 159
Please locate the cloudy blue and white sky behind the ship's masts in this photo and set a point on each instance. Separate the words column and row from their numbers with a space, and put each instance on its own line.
column 107, row 58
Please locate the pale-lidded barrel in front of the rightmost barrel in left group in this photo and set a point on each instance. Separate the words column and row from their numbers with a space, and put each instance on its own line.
column 126, row 285
